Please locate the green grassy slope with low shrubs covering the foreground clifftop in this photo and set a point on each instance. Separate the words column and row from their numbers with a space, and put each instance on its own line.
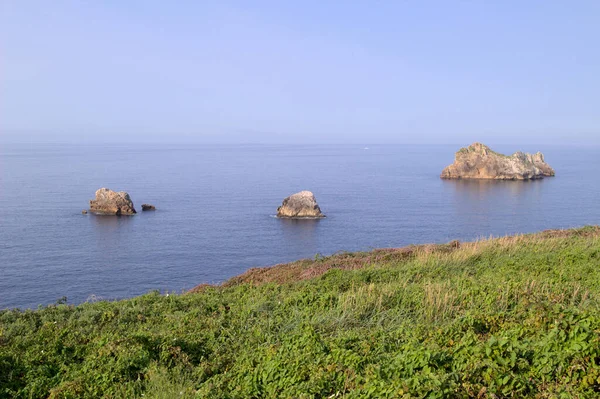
column 509, row 317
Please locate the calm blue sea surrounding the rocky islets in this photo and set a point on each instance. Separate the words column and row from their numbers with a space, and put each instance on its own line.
column 215, row 207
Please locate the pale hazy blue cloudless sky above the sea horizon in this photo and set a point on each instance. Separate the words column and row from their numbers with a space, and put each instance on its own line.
column 312, row 71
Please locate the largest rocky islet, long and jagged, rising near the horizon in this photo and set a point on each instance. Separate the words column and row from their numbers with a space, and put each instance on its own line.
column 478, row 161
